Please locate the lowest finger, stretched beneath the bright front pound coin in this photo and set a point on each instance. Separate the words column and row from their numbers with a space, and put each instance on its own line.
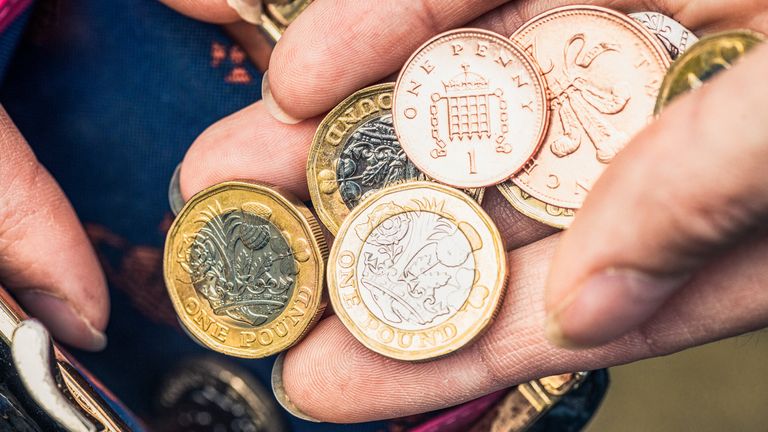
column 332, row 377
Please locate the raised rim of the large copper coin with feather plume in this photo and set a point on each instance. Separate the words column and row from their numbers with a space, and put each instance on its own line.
column 652, row 39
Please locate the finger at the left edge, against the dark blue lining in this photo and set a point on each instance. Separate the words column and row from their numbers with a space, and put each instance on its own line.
column 45, row 257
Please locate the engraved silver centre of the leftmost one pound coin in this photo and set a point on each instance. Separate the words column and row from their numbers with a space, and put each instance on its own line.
column 241, row 264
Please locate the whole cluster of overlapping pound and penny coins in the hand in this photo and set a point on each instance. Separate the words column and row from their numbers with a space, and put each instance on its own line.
column 418, row 269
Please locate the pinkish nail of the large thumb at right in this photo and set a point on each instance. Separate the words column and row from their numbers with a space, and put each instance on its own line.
column 607, row 306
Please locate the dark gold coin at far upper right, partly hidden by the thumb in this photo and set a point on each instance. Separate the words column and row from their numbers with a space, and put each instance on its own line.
column 710, row 56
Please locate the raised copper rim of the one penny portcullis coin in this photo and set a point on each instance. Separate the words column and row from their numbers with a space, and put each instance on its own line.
column 528, row 63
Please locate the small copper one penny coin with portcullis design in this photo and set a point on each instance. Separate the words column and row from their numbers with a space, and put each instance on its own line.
column 470, row 108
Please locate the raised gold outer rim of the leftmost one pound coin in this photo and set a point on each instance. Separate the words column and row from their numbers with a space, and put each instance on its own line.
column 317, row 244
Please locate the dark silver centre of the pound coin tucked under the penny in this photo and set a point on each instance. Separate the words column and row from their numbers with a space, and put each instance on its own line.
column 372, row 159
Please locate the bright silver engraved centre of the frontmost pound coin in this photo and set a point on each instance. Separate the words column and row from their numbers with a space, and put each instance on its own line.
column 417, row 268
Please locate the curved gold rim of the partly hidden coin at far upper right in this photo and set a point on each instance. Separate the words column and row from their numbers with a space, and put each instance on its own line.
column 749, row 36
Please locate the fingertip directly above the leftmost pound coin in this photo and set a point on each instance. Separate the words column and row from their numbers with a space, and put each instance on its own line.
column 249, row 145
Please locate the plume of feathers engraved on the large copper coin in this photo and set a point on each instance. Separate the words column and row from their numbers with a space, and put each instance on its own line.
column 581, row 105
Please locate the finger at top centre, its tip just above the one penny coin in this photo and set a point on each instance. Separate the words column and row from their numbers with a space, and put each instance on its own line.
column 338, row 46
